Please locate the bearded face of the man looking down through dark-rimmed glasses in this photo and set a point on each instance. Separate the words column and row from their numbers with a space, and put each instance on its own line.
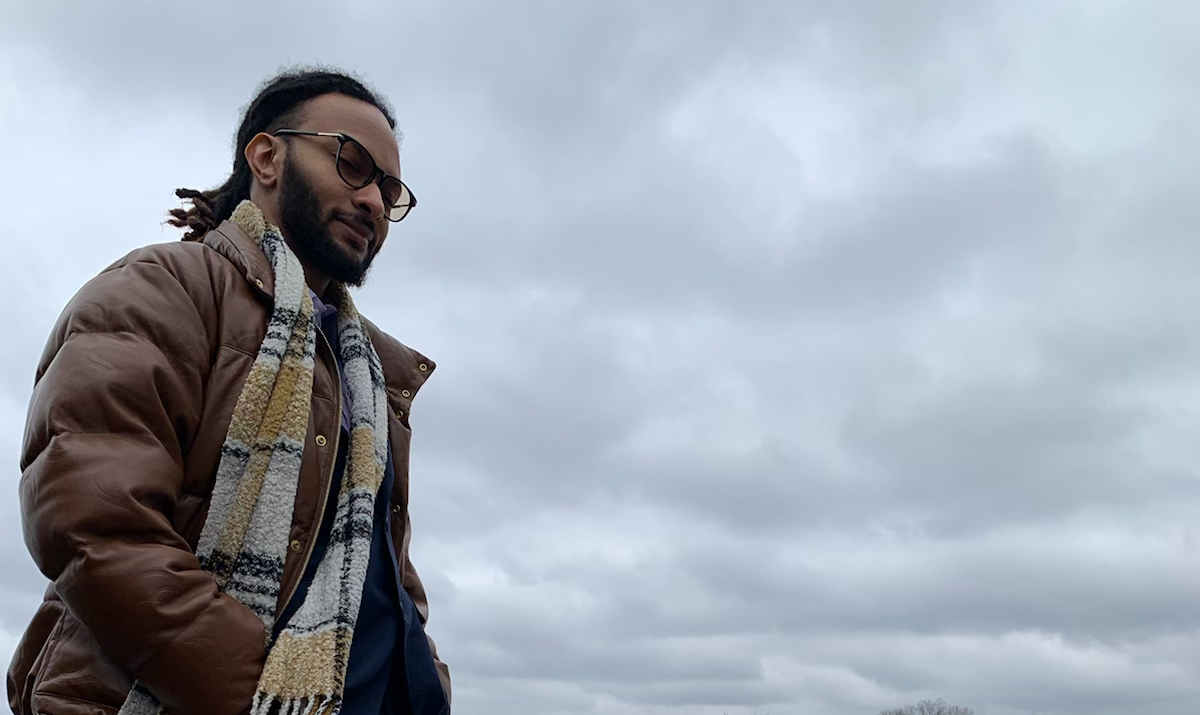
column 335, row 230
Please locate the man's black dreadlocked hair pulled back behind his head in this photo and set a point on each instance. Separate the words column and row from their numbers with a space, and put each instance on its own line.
column 280, row 101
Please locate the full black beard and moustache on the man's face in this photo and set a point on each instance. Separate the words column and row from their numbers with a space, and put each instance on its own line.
column 310, row 237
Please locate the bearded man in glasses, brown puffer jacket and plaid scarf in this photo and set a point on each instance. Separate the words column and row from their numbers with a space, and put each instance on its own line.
column 215, row 466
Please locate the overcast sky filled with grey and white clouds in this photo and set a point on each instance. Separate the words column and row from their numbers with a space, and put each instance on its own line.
column 795, row 357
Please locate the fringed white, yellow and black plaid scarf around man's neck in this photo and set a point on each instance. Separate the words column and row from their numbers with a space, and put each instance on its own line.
column 245, row 539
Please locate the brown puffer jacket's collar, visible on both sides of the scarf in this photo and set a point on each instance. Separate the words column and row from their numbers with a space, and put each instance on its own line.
column 405, row 368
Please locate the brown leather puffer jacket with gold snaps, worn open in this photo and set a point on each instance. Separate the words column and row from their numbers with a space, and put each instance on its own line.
column 133, row 401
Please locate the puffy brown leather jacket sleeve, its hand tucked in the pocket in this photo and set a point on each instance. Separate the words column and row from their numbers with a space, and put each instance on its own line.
column 118, row 396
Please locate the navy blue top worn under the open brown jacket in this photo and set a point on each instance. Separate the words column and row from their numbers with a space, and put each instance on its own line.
column 392, row 670
